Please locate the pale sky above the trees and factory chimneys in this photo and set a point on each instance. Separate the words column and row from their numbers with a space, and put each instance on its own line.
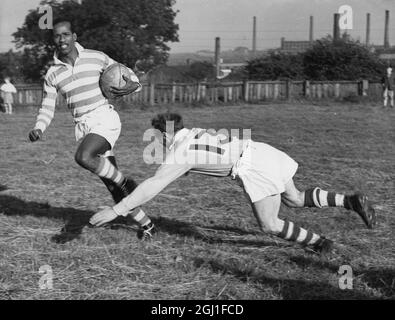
column 200, row 21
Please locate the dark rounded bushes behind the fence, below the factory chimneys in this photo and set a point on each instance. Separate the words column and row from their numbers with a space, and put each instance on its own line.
column 344, row 59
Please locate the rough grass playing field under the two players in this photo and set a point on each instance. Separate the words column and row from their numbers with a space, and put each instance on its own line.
column 209, row 245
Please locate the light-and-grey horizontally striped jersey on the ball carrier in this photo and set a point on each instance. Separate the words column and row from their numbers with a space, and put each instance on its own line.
column 79, row 85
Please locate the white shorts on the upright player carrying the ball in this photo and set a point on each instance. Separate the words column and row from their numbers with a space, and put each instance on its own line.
column 103, row 121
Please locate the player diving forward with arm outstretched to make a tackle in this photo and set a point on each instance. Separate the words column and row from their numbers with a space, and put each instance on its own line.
column 265, row 173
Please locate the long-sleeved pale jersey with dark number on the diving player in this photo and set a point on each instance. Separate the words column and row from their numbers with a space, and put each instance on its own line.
column 195, row 150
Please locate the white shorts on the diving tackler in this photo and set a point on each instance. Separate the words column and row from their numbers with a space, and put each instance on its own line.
column 264, row 170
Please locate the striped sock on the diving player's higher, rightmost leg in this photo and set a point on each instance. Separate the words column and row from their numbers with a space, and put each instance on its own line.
column 316, row 197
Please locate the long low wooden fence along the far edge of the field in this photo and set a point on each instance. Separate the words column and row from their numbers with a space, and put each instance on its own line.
column 227, row 92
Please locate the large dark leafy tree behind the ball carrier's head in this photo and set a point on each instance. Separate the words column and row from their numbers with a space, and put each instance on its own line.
column 127, row 30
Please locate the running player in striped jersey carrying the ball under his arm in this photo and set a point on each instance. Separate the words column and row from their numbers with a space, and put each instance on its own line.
column 75, row 74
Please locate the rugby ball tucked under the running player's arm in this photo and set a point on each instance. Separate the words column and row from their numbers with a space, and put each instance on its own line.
column 112, row 77
